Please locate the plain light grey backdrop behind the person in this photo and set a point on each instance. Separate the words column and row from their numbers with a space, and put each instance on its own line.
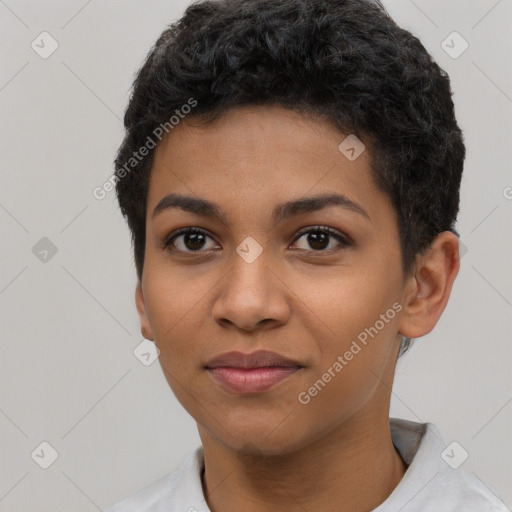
column 69, row 325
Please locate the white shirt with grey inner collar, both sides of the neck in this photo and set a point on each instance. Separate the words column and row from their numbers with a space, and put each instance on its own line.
column 430, row 484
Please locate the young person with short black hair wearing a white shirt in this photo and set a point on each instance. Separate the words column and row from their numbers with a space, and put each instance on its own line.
column 290, row 175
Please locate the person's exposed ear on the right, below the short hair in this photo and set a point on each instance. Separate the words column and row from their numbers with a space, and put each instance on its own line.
column 428, row 288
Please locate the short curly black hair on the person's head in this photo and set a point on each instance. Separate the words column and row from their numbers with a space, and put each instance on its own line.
column 346, row 61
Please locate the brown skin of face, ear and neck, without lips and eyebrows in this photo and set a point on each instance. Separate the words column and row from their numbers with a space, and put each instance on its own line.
column 267, row 451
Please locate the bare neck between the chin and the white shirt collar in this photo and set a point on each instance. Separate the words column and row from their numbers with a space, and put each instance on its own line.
column 355, row 467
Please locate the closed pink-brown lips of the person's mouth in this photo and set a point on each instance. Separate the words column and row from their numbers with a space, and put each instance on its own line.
column 251, row 373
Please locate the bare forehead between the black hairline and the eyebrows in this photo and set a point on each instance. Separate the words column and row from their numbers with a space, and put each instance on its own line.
column 257, row 156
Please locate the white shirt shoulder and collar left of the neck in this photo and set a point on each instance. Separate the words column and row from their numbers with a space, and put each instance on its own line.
column 177, row 490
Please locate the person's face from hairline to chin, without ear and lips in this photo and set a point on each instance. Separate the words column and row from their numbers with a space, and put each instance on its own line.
column 260, row 276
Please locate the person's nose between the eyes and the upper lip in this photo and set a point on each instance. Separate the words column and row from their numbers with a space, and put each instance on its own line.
column 253, row 296
